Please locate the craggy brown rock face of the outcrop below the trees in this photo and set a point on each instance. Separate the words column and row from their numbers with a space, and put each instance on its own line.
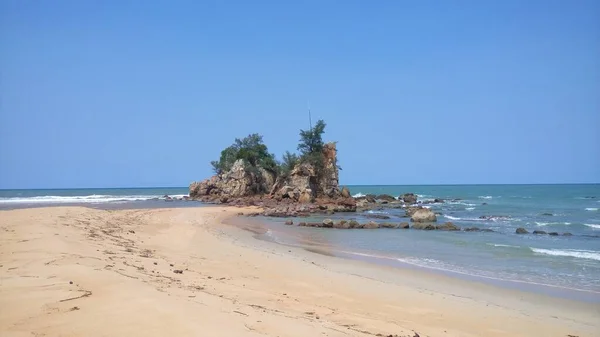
column 303, row 184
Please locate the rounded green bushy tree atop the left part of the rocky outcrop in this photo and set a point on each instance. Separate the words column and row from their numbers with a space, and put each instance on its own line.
column 251, row 150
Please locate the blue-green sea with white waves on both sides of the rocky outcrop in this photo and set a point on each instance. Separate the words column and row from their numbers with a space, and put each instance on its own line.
column 562, row 265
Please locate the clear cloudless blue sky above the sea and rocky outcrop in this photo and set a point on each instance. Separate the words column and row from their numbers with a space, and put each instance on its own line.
column 147, row 93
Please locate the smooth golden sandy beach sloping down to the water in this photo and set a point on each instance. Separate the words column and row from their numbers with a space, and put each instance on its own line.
column 75, row 271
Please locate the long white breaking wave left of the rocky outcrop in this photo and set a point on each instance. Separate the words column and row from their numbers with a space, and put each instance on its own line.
column 53, row 199
